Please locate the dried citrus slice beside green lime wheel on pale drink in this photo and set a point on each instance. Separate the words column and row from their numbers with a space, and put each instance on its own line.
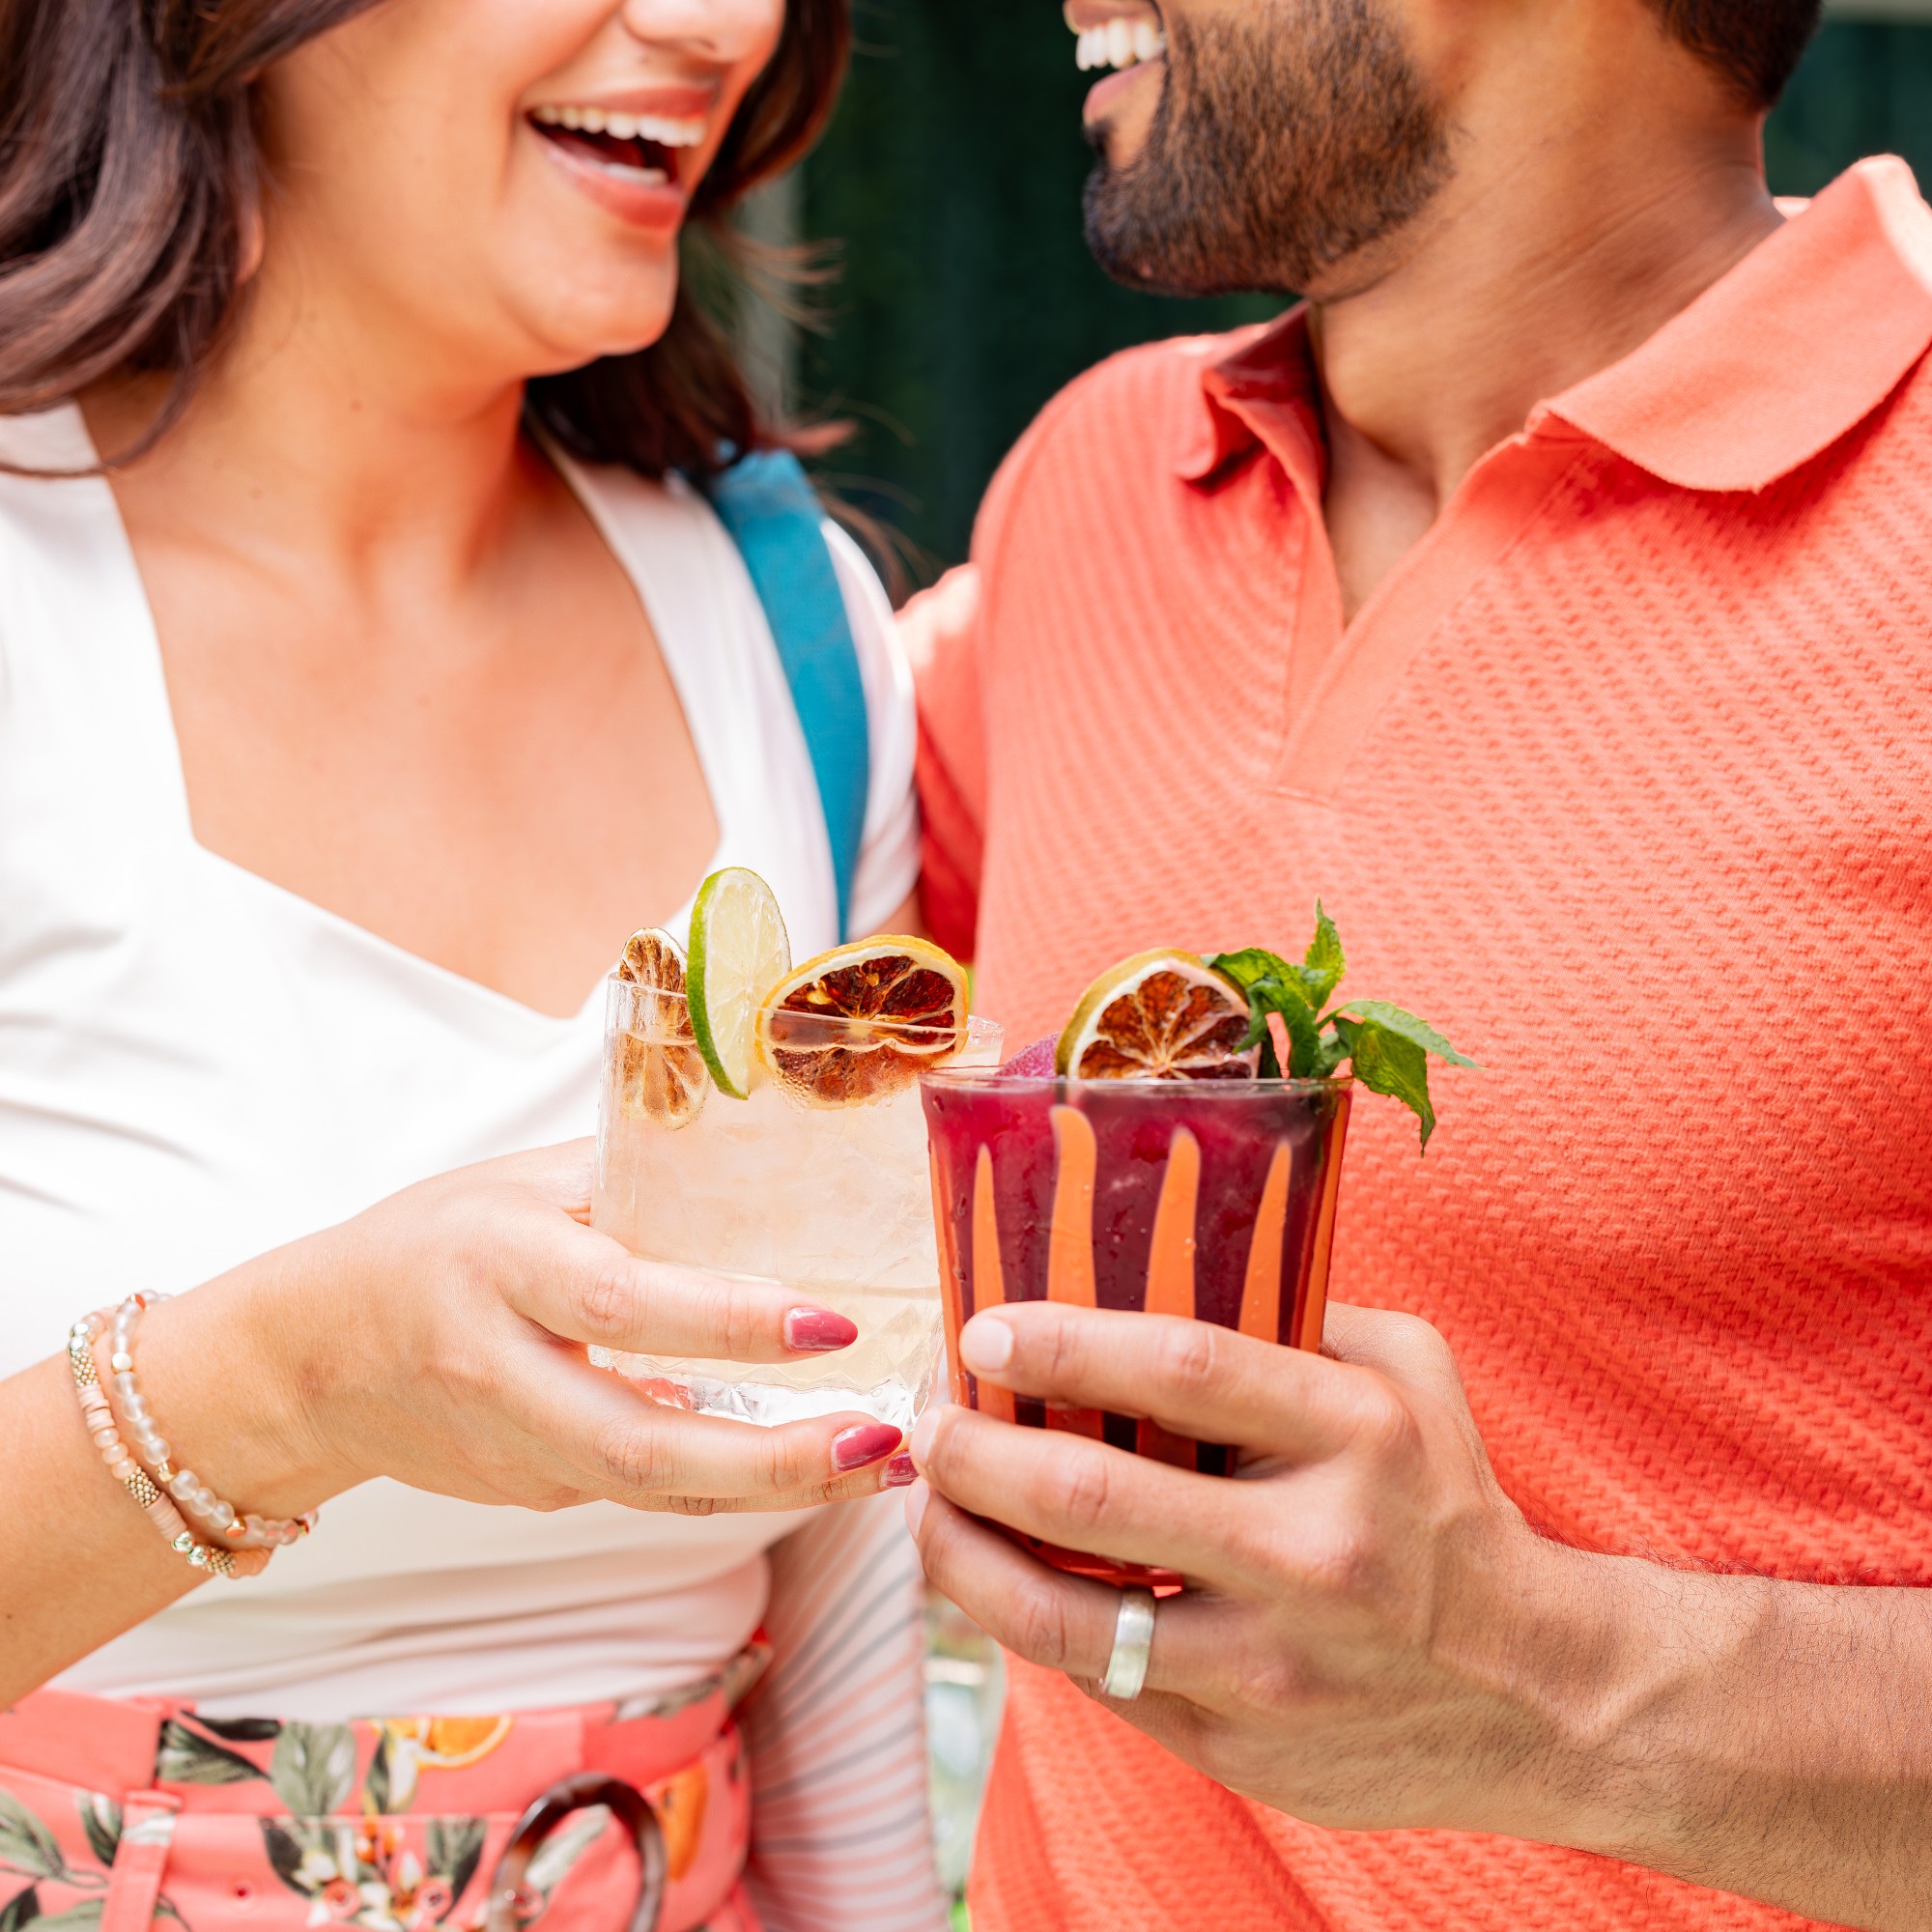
column 865, row 1021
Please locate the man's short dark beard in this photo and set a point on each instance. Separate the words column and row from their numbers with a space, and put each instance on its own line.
column 1278, row 150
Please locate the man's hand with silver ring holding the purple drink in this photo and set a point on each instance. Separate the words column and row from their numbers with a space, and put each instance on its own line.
column 1350, row 1645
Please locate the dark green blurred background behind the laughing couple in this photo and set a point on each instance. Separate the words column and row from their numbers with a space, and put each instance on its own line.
column 952, row 183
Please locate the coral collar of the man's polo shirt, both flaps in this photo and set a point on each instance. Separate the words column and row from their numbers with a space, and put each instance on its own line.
column 1769, row 368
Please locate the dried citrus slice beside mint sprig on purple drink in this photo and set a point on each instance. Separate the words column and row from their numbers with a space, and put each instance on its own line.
column 1160, row 1017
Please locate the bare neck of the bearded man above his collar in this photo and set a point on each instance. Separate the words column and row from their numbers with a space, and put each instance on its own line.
column 1548, row 258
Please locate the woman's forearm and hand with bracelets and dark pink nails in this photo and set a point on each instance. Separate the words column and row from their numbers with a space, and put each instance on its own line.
column 440, row 1340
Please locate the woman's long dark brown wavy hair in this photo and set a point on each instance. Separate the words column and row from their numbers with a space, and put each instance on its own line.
column 132, row 181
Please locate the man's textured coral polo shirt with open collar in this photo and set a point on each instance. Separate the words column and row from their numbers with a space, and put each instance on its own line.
column 1626, row 780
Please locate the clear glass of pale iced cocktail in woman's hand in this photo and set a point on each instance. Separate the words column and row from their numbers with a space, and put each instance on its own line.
column 832, row 1201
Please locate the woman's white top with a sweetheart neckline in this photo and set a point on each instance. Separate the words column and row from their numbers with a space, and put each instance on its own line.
column 198, row 1065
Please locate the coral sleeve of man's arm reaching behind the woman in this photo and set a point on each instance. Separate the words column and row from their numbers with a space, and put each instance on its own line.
column 942, row 635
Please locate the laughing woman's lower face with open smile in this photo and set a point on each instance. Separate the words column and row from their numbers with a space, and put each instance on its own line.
column 501, row 183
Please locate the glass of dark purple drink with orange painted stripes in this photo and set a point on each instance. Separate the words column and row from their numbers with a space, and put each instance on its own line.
column 1203, row 1199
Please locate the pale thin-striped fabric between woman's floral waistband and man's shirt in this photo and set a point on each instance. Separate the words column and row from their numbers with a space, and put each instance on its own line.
column 841, row 1831
